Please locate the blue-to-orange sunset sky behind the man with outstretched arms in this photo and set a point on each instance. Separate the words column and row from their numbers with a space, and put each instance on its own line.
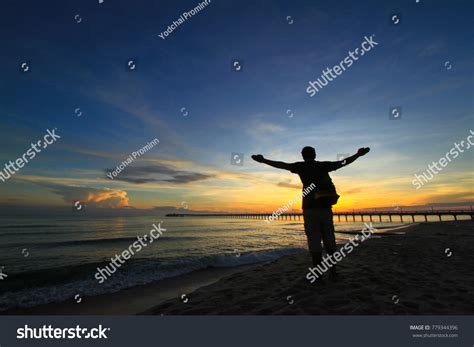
column 184, row 92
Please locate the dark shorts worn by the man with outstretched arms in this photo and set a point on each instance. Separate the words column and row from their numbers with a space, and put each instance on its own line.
column 318, row 224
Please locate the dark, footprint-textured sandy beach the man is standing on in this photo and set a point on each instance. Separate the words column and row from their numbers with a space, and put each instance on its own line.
column 413, row 273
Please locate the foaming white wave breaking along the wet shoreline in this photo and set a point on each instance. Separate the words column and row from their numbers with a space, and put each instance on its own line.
column 59, row 284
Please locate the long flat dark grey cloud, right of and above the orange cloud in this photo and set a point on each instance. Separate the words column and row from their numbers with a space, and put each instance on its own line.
column 158, row 173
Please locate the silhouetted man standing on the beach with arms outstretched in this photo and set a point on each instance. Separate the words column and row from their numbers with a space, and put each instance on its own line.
column 317, row 212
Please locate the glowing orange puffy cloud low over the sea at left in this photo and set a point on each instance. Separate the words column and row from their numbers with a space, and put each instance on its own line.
column 92, row 197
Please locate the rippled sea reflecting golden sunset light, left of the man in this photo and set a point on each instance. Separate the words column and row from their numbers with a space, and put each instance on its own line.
column 44, row 260
